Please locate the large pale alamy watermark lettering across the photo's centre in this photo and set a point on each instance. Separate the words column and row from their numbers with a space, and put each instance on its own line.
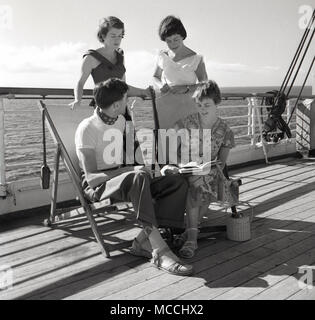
column 174, row 146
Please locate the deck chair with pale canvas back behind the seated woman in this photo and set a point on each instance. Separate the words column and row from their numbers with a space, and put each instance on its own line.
column 167, row 109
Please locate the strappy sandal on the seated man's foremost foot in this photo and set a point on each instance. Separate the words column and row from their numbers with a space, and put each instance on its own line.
column 176, row 268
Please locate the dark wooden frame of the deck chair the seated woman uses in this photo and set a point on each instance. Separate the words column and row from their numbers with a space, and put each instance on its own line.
column 205, row 229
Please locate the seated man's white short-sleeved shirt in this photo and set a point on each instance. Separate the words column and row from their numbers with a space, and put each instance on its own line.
column 93, row 133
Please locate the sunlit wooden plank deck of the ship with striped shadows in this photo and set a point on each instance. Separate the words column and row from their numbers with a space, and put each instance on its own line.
column 65, row 262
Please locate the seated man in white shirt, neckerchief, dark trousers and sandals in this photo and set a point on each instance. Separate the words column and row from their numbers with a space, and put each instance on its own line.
column 103, row 178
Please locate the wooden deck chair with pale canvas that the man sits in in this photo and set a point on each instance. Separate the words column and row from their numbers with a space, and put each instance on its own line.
column 62, row 124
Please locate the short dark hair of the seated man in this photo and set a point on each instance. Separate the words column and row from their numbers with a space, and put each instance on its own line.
column 109, row 91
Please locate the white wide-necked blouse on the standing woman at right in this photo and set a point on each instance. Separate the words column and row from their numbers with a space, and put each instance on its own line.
column 182, row 72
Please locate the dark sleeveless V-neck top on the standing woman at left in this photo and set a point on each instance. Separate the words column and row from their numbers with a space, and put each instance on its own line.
column 107, row 69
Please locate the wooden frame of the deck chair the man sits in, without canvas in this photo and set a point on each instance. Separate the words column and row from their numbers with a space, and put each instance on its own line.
column 89, row 209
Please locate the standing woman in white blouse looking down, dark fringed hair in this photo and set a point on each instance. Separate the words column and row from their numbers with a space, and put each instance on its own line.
column 179, row 68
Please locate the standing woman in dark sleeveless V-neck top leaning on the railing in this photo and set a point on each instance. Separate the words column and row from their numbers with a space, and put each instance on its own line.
column 107, row 61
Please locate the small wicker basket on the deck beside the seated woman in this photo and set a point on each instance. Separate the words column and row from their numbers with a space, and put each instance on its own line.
column 238, row 229
